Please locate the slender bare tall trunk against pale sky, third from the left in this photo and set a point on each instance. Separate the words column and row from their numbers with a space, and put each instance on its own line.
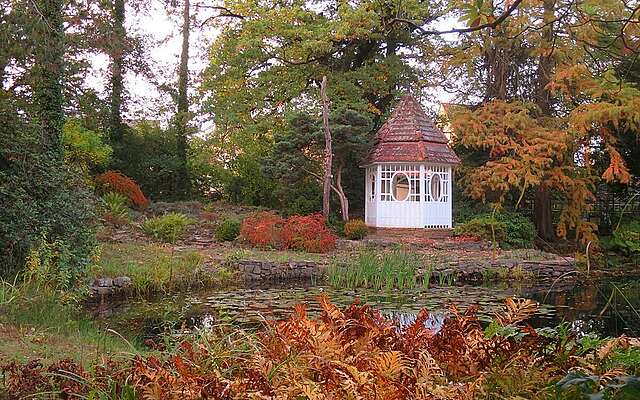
column 182, row 118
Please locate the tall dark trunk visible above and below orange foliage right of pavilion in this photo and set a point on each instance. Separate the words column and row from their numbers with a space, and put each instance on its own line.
column 542, row 202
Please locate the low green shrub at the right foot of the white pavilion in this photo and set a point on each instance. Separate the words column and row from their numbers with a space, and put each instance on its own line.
column 510, row 230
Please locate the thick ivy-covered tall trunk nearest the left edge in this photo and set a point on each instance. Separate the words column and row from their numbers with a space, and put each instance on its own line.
column 48, row 74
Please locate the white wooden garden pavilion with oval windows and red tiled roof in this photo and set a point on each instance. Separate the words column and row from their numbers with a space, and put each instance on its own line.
column 409, row 172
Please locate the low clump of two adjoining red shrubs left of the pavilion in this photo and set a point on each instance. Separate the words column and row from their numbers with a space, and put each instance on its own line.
column 308, row 233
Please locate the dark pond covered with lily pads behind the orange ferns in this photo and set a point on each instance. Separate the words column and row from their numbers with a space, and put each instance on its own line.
column 605, row 307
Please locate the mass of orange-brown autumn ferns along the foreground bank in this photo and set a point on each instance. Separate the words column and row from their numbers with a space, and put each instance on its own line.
column 354, row 353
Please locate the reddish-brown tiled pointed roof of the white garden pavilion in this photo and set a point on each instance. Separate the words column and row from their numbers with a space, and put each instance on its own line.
column 409, row 135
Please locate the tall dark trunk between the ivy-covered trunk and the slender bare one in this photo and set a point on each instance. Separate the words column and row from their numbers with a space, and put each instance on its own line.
column 116, row 128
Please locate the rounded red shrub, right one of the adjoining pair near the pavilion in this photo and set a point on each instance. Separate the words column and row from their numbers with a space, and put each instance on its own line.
column 308, row 233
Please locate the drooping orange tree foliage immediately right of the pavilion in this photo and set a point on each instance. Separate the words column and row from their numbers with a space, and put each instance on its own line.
column 525, row 152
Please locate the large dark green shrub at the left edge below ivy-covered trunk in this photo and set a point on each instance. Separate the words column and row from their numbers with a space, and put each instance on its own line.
column 39, row 197
